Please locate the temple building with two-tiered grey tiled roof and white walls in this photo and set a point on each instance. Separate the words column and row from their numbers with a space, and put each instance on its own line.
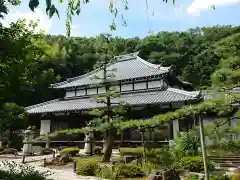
column 148, row 88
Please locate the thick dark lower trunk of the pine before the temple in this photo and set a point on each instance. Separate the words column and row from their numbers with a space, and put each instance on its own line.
column 109, row 146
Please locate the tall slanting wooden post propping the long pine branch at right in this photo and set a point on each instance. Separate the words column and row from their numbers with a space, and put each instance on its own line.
column 203, row 145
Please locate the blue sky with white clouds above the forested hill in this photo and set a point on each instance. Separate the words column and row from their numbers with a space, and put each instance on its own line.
column 95, row 17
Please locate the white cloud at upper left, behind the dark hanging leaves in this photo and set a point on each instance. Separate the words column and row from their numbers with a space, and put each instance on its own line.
column 44, row 22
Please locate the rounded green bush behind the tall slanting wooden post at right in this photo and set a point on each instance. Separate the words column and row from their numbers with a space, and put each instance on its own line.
column 194, row 164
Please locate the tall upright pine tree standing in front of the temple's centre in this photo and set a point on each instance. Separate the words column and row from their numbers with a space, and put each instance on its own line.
column 107, row 117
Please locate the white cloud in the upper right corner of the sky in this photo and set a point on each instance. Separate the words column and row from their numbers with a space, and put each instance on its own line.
column 202, row 5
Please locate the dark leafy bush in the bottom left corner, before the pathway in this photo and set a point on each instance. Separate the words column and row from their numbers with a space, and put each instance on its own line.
column 21, row 172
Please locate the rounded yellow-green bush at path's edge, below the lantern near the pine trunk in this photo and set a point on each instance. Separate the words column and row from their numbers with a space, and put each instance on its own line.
column 87, row 168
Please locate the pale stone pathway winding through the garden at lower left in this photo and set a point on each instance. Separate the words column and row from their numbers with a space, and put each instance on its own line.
column 63, row 174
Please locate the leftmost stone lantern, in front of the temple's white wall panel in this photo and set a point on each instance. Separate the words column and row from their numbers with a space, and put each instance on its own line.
column 28, row 136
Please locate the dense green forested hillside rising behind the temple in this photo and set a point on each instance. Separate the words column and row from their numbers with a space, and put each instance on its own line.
column 30, row 62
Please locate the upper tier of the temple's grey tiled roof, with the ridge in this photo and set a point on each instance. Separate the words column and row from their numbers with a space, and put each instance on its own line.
column 126, row 67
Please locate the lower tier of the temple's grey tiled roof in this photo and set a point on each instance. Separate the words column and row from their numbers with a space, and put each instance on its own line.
column 156, row 96
